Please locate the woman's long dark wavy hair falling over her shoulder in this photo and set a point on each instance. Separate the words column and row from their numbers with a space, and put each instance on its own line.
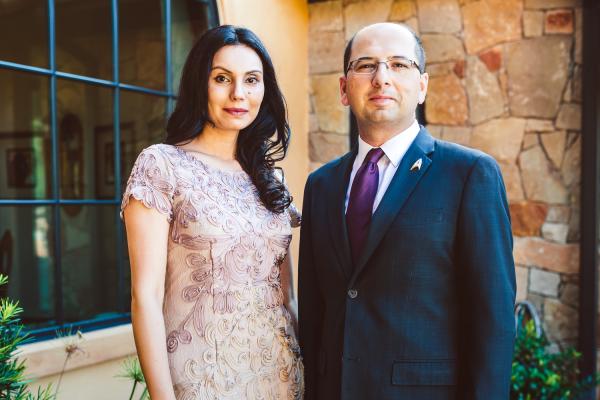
column 262, row 143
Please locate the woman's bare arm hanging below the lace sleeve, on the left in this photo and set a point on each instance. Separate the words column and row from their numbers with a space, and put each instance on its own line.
column 147, row 236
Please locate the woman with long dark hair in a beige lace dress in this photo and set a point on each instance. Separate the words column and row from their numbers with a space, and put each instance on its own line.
column 208, row 226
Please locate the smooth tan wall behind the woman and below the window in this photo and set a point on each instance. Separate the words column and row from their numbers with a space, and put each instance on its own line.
column 283, row 27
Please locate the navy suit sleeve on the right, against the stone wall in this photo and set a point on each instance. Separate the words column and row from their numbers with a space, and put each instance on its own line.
column 486, row 284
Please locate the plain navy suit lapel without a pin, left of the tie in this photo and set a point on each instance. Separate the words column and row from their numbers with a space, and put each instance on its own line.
column 336, row 212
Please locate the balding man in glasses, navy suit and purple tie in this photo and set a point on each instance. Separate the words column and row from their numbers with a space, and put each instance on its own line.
column 406, row 275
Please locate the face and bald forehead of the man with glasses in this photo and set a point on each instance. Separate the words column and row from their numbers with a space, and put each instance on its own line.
column 384, row 97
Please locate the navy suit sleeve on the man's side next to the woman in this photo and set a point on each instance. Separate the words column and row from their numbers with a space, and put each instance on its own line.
column 310, row 303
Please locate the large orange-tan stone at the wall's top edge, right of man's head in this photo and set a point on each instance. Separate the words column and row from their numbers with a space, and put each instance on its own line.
column 487, row 23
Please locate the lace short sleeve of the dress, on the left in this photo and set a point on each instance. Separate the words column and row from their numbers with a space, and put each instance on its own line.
column 151, row 182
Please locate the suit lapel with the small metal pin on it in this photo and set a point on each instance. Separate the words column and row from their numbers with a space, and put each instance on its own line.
column 403, row 183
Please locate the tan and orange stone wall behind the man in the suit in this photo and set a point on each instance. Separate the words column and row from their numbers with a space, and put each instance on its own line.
column 505, row 77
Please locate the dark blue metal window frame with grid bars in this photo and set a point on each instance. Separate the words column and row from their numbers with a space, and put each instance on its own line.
column 55, row 202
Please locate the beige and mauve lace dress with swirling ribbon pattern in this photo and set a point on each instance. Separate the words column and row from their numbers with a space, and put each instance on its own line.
column 229, row 335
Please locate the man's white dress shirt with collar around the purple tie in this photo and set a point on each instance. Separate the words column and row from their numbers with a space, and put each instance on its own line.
column 394, row 149
